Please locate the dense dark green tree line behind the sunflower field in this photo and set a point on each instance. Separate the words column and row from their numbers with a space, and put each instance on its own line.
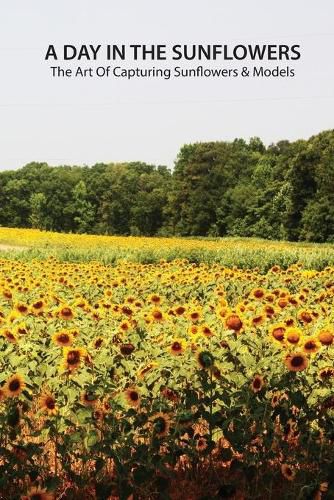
column 283, row 191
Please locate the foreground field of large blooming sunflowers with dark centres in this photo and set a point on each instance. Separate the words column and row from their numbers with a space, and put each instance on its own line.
column 172, row 379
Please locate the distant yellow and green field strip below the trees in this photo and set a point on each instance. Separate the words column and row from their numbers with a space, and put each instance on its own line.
column 240, row 252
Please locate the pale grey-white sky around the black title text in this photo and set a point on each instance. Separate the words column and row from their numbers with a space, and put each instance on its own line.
column 85, row 121
